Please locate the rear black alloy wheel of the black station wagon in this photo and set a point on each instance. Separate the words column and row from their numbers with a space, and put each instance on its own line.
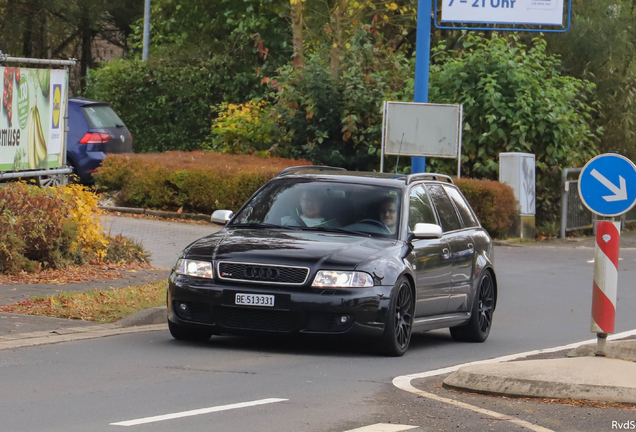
column 478, row 328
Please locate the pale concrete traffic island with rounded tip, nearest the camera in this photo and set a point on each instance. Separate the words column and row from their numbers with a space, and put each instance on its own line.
column 591, row 378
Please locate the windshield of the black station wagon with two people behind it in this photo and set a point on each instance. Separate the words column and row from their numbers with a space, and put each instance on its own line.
column 325, row 206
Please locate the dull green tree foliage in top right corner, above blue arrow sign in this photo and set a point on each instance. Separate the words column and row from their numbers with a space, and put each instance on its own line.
column 600, row 47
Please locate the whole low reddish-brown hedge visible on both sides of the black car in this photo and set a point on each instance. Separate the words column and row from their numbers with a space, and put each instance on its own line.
column 206, row 181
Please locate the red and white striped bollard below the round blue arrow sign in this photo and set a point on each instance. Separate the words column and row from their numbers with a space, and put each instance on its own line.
column 605, row 281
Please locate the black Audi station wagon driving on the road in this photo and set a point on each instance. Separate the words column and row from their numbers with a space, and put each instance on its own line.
column 321, row 250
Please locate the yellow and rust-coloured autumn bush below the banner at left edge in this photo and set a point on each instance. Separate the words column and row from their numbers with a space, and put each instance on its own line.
column 53, row 228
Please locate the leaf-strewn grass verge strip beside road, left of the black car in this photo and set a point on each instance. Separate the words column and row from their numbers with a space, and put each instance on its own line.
column 102, row 306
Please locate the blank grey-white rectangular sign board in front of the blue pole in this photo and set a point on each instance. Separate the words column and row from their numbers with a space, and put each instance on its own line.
column 421, row 129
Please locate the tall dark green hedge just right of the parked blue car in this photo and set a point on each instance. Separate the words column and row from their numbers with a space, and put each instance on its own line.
column 168, row 106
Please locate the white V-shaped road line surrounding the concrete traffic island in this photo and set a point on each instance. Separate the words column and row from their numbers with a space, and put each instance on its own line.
column 404, row 382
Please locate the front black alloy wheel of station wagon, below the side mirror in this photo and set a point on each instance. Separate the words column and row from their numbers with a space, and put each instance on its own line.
column 399, row 325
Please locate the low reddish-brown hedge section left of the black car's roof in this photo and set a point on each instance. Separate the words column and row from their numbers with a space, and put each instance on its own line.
column 195, row 181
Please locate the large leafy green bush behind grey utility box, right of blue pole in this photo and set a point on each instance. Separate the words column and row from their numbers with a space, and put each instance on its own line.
column 515, row 100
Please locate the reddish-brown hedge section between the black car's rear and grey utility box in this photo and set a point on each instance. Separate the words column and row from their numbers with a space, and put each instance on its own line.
column 493, row 202
